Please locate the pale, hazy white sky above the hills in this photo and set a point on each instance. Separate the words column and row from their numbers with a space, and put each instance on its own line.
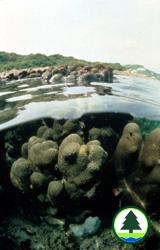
column 125, row 31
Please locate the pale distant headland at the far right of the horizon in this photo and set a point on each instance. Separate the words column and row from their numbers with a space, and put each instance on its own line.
column 139, row 69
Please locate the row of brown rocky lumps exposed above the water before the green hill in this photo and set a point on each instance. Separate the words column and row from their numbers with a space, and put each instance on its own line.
column 78, row 73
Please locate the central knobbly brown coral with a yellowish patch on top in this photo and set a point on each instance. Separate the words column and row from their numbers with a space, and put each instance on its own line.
column 81, row 165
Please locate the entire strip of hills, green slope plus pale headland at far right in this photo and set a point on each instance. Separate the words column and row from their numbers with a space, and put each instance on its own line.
column 12, row 60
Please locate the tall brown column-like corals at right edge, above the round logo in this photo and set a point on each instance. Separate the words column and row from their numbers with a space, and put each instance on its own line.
column 138, row 168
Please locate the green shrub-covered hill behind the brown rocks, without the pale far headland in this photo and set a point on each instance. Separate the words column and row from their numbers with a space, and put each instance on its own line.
column 12, row 60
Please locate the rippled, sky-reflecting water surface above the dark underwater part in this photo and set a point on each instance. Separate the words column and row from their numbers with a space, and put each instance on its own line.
column 29, row 99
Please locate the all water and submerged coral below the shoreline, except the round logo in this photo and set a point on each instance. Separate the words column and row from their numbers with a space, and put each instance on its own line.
column 72, row 155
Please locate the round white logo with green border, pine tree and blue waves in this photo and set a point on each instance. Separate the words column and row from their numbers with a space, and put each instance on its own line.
column 131, row 225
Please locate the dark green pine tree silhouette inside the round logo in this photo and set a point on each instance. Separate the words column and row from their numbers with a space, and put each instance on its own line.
column 131, row 223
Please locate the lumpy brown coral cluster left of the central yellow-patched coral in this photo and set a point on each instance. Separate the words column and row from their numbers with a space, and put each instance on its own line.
column 35, row 169
